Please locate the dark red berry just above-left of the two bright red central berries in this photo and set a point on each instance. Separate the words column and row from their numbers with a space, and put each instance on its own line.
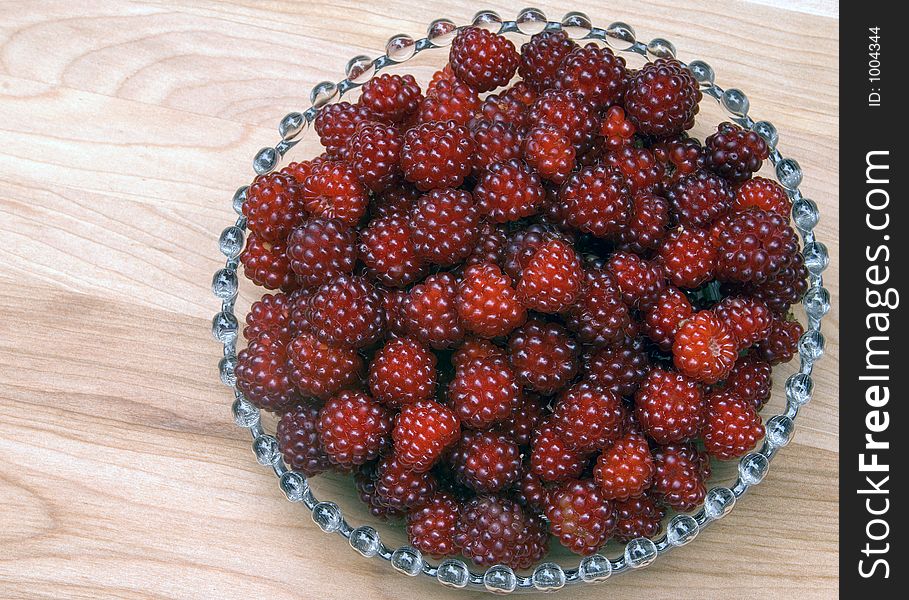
column 445, row 226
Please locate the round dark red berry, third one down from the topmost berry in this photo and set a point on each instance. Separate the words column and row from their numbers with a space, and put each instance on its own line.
column 437, row 155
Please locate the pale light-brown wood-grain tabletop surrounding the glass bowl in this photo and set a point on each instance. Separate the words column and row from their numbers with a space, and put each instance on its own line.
column 124, row 129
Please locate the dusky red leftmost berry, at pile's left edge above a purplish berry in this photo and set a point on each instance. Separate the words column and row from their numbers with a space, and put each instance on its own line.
column 262, row 373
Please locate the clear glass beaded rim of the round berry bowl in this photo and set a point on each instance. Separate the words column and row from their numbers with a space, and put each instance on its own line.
column 547, row 576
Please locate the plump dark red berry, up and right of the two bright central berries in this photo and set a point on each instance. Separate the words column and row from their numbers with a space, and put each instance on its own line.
column 596, row 200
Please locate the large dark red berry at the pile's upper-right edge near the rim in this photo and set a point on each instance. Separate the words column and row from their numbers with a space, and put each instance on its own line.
column 662, row 98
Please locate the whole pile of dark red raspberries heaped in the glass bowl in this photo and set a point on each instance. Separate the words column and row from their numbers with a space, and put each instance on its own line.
column 534, row 312
